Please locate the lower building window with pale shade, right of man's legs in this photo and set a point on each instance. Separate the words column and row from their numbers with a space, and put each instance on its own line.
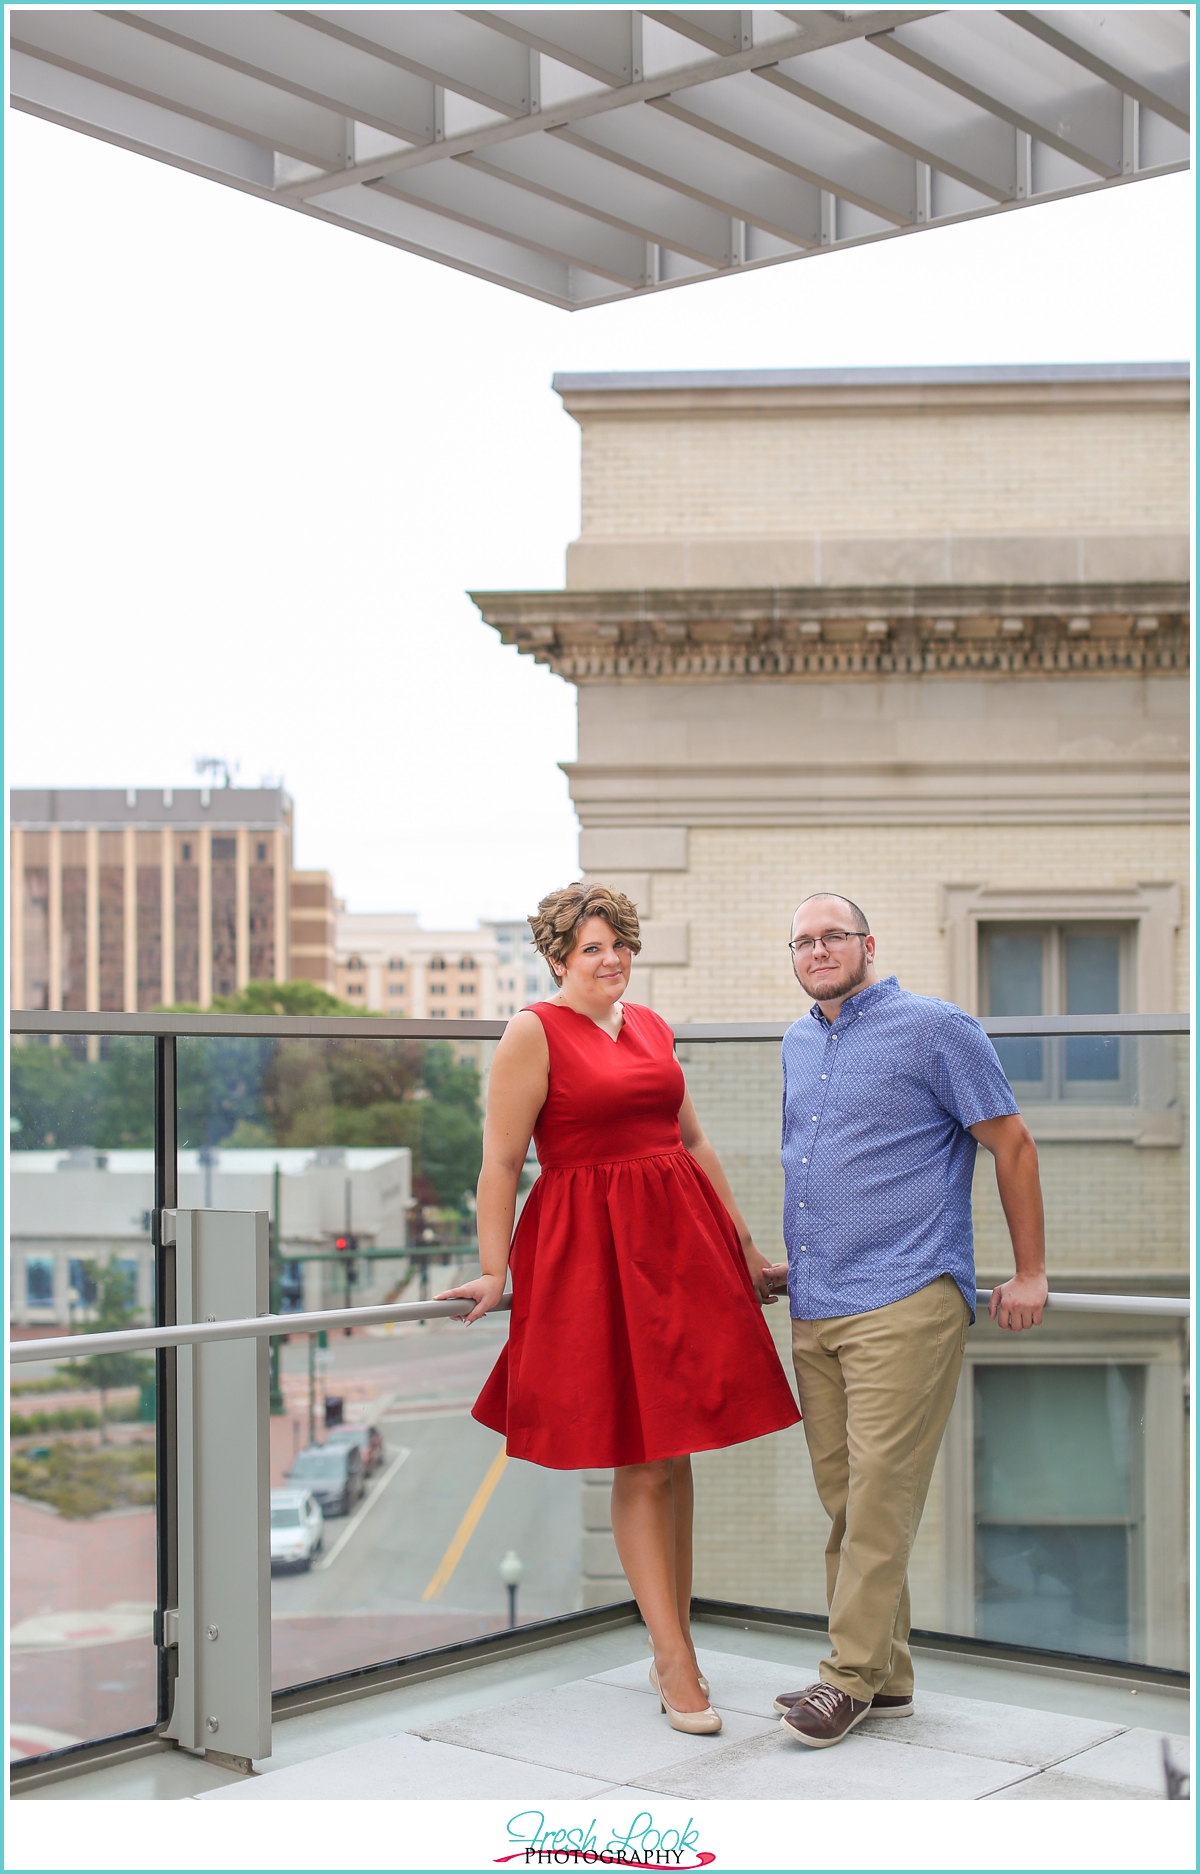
column 1057, row 1517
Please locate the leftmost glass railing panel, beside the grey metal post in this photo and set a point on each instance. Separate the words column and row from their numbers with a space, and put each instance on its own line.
column 83, row 1442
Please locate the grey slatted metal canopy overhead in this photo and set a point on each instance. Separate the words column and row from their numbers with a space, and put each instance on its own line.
column 592, row 155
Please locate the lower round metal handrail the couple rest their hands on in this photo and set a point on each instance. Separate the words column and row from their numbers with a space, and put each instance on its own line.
column 263, row 1326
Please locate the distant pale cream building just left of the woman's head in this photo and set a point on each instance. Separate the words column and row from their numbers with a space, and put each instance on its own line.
column 387, row 964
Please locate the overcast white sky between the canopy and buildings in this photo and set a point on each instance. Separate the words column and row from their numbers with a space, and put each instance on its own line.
column 256, row 464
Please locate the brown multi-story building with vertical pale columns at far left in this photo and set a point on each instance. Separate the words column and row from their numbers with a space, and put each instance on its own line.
column 138, row 899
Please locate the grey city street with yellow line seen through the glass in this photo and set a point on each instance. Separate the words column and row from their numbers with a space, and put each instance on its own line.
column 417, row 1562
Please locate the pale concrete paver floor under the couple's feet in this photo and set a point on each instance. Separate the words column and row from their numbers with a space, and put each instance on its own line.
column 580, row 1719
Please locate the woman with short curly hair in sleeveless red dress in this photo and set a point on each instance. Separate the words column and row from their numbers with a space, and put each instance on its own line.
column 637, row 1330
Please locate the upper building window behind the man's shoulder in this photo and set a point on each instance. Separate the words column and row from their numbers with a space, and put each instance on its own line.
column 1060, row 970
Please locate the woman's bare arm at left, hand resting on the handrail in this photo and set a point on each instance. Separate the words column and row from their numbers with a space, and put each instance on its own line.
column 517, row 1095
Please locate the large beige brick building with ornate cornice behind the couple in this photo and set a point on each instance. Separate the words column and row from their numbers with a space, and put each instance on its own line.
column 922, row 638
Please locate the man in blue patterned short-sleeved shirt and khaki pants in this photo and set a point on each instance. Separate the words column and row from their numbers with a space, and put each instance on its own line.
column 886, row 1095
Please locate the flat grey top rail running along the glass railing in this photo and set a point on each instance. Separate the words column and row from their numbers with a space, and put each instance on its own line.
column 410, row 1030
